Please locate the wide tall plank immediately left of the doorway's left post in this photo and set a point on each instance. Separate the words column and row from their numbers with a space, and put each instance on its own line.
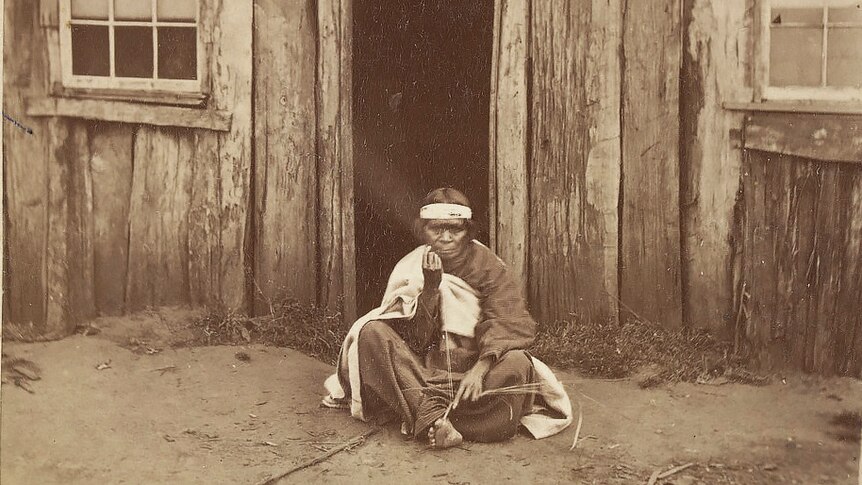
column 285, row 165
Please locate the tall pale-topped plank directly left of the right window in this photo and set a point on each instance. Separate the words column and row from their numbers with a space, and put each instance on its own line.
column 714, row 70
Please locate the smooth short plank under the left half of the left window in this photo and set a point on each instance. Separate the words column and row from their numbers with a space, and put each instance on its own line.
column 111, row 166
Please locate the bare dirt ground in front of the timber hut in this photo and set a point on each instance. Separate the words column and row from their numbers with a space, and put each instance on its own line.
column 158, row 413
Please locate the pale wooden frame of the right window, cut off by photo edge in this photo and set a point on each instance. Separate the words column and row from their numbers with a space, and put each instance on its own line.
column 825, row 97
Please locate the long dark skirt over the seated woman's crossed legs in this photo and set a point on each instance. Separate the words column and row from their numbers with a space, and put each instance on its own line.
column 395, row 380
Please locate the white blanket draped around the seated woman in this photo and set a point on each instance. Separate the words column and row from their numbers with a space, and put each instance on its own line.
column 459, row 313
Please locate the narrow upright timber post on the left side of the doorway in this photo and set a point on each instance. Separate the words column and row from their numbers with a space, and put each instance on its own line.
column 336, row 271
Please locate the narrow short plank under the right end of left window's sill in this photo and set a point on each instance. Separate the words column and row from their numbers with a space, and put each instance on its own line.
column 204, row 222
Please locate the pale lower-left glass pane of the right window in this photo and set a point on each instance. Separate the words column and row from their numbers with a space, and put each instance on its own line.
column 795, row 56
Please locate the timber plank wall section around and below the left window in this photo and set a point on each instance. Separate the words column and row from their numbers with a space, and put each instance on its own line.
column 106, row 218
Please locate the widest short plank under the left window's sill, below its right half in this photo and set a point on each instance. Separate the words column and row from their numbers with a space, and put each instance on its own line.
column 158, row 219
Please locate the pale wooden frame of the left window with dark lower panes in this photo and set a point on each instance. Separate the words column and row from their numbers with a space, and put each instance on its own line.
column 155, row 91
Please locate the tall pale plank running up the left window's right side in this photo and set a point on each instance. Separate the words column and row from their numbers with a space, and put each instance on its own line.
column 232, row 92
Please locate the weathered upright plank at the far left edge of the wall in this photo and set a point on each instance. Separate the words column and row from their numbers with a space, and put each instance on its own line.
column 25, row 169
